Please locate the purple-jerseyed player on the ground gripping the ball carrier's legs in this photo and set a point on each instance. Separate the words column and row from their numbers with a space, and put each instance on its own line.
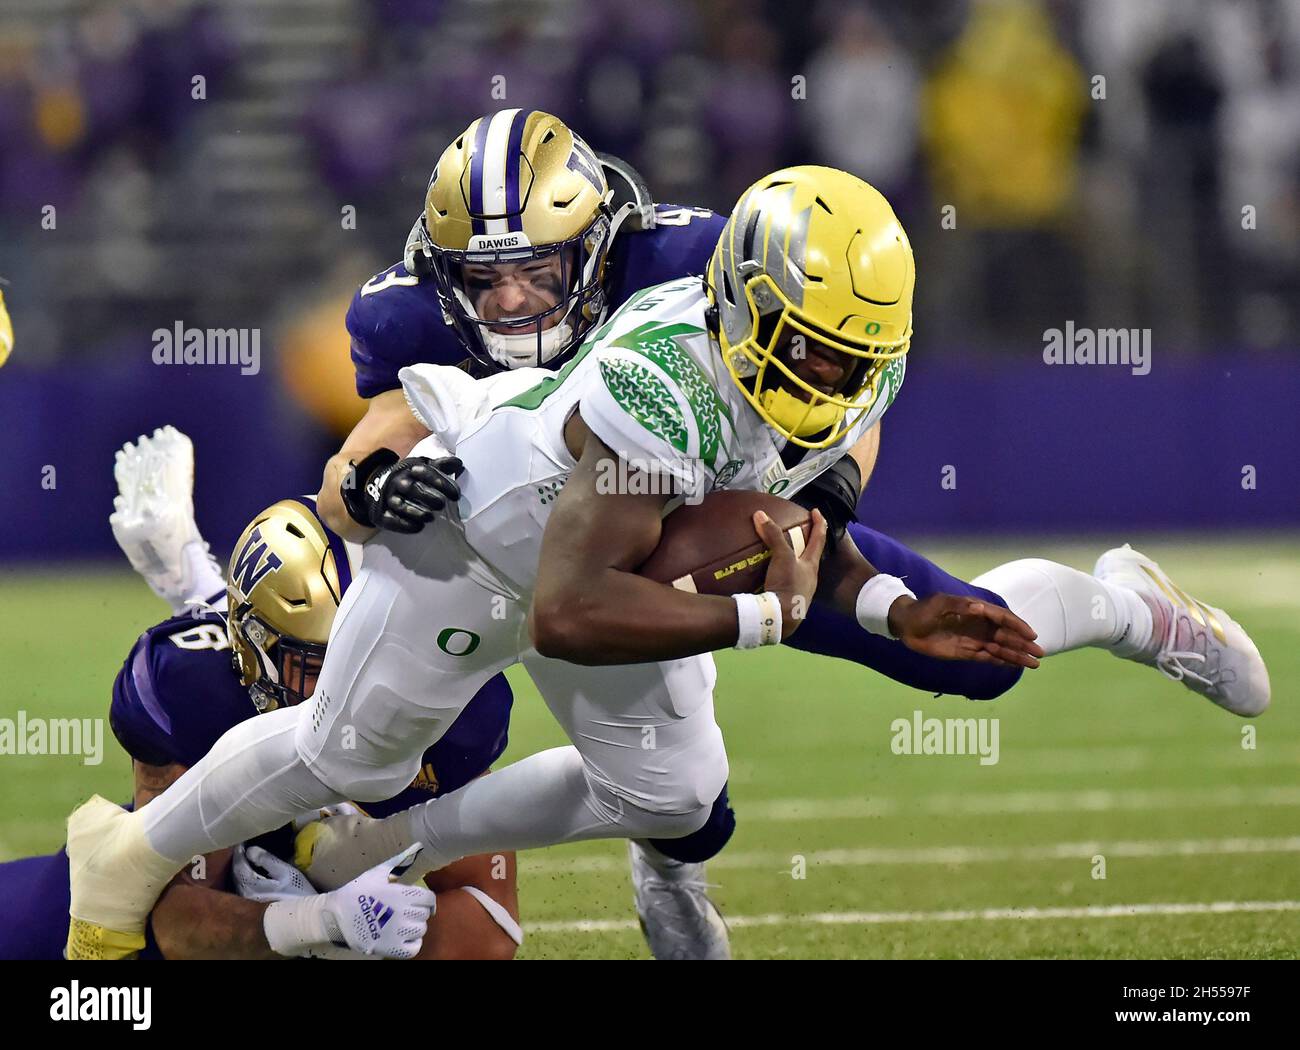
column 196, row 675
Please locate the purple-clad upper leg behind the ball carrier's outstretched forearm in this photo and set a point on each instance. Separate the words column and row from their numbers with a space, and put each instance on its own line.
column 831, row 634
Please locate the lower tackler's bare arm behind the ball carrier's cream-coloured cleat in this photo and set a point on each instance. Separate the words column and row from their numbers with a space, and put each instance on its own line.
column 192, row 919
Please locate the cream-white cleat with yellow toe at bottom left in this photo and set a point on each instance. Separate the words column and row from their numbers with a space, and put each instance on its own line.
column 116, row 877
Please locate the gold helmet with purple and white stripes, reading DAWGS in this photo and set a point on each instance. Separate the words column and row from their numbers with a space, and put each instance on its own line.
column 518, row 188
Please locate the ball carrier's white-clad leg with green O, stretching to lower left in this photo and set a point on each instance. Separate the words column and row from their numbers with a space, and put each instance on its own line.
column 391, row 685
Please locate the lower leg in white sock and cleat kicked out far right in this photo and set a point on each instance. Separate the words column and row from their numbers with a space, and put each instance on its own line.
column 1130, row 608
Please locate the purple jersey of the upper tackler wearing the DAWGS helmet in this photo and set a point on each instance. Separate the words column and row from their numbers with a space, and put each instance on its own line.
column 396, row 319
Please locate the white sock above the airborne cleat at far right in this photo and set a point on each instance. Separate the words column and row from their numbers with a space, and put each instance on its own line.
column 1071, row 609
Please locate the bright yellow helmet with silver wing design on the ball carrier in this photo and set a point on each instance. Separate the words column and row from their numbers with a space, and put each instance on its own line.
column 818, row 254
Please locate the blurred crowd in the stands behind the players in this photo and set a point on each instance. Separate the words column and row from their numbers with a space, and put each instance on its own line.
column 1094, row 158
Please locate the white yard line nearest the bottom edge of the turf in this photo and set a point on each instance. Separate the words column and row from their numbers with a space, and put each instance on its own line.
column 980, row 916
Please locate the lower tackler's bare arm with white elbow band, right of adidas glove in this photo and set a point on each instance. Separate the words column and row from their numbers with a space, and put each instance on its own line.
column 478, row 914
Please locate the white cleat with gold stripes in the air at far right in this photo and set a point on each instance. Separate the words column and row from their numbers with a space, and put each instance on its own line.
column 1194, row 644
